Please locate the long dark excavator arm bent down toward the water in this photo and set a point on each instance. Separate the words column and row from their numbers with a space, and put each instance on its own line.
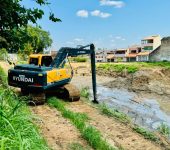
column 74, row 52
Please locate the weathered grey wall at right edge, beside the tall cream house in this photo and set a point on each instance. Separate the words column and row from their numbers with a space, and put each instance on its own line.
column 162, row 53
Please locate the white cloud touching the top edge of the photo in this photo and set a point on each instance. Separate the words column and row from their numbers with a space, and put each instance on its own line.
column 115, row 3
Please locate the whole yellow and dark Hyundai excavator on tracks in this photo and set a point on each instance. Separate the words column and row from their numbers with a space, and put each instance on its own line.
column 43, row 75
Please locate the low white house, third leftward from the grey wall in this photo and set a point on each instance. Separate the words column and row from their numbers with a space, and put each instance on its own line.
column 120, row 55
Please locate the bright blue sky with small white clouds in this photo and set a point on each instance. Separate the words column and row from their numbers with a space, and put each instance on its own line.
column 108, row 24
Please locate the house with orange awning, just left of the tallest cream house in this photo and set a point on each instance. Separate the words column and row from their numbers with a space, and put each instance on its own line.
column 132, row 52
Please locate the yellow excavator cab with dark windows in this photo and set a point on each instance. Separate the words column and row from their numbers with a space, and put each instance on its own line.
column 40, row 59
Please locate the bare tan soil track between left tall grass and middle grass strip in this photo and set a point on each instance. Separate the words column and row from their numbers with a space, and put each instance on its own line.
column 58, row 132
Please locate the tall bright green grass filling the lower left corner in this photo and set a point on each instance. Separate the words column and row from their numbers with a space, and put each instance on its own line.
column 17, row 128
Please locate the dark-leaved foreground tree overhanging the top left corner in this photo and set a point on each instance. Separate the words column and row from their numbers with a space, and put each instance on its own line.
column 13, row 16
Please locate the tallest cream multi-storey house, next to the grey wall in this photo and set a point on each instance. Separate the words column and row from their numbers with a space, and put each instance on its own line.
column 149, row 44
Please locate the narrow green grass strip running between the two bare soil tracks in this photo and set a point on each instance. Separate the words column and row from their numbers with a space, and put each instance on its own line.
column 80, row 120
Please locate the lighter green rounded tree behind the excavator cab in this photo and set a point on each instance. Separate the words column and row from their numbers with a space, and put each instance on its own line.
column 32, row 40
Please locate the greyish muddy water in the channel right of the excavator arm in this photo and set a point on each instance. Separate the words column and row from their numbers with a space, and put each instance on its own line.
column 144, row 111
